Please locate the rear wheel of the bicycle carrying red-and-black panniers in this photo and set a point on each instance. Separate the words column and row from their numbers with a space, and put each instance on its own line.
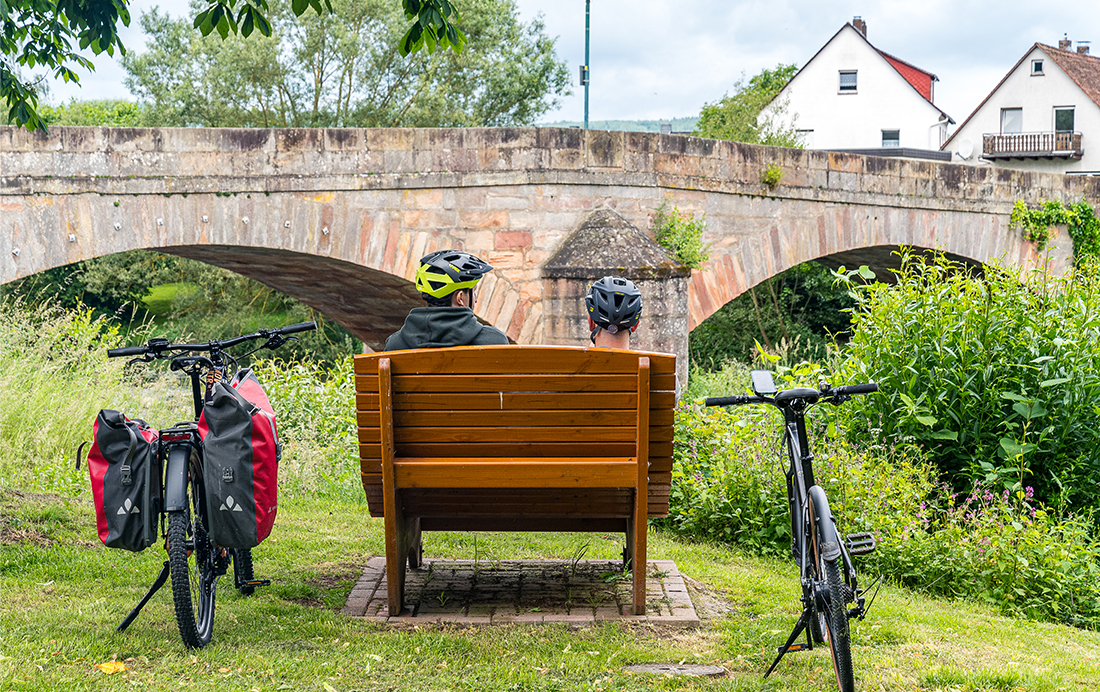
column 191, row 566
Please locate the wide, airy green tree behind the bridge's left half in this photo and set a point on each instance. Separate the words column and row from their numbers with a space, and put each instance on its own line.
column 339, row 70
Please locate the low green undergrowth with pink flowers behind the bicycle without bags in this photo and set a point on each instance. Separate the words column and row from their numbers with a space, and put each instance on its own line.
column 1000, row 548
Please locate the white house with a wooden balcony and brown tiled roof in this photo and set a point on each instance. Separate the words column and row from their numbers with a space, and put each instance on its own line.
column 1043, row 116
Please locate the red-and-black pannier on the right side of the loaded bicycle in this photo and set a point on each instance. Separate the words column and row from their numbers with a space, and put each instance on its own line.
column 241, row 456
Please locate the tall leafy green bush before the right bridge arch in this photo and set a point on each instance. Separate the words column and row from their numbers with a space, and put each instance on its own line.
column 997, row 379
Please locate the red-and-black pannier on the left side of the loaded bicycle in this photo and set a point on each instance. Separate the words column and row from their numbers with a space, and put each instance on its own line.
column 126, row 481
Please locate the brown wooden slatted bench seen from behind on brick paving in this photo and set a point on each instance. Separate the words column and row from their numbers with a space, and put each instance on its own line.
column 515, row 438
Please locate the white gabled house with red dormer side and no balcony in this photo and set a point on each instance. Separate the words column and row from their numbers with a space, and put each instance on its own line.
column 852, row 96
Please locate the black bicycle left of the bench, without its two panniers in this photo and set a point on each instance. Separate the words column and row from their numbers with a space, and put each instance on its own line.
column 195, row 564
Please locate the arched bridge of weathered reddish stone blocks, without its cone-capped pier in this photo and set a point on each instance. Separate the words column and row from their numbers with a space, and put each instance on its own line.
column 339, row 218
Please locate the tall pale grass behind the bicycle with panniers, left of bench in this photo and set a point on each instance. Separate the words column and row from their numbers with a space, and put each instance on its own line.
column 56, row 377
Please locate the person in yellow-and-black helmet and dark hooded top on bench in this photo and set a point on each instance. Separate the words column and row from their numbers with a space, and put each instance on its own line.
column 446, row 281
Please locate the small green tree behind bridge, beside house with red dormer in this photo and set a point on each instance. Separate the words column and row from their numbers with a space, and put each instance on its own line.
column 742, row 117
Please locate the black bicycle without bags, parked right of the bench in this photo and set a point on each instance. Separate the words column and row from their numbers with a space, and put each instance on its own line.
column 829, row 577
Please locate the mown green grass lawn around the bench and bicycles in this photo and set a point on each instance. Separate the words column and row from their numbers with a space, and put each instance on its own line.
column 63, row 595
